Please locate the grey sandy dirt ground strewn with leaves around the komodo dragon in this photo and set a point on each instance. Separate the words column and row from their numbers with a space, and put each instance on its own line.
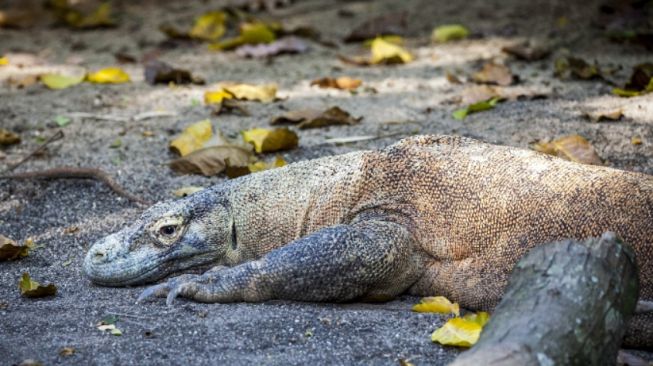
column 412, row 98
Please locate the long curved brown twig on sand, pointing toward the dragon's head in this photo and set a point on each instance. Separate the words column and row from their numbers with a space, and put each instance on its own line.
column 78, row 173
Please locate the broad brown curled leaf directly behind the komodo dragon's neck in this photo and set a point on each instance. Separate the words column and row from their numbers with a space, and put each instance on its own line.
column 211, row 160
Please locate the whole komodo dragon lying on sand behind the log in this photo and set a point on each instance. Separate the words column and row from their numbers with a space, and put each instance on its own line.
column 429, row 215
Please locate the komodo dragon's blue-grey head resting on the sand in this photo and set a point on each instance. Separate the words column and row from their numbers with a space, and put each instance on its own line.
column 169, row 237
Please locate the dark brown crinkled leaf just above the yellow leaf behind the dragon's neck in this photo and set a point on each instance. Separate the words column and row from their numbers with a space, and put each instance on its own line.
column 311, row 118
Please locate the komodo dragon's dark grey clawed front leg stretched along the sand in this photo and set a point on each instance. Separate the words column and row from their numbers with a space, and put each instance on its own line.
column 371, row 259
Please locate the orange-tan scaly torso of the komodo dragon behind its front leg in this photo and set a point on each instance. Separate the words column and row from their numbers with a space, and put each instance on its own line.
column 478, row 208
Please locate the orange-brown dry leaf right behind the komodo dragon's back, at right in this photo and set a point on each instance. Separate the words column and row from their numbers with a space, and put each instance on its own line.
column 572, row 147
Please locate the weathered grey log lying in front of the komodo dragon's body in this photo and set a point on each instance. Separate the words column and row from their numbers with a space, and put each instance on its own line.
column 567, row 303
